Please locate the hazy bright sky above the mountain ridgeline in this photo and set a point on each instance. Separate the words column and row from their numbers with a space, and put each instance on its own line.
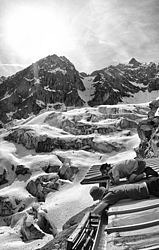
column 92, row 34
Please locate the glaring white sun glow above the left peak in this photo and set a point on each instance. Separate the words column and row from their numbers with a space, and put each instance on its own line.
column 34, row 32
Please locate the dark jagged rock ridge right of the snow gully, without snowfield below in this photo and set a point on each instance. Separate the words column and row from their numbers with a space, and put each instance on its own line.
column 124, row 80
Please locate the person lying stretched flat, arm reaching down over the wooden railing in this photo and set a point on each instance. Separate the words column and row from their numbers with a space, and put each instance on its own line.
column 135, row 191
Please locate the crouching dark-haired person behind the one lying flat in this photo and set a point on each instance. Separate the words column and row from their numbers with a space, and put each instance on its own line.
column 132, row 169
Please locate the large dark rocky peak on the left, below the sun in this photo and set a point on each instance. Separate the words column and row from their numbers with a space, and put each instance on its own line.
column 50, row 80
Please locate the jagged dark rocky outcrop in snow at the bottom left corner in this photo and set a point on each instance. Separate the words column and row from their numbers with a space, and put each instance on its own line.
column 29, row 222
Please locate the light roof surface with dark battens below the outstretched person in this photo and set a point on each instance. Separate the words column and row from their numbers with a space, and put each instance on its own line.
column 133, row 225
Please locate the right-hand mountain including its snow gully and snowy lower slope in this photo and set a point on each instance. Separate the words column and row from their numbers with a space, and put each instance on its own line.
column 127, row 83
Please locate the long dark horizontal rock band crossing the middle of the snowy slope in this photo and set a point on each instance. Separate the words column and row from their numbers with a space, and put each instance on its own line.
column 31, row 140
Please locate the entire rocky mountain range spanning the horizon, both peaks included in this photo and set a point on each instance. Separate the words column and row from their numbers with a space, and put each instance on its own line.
column 54, row 80
